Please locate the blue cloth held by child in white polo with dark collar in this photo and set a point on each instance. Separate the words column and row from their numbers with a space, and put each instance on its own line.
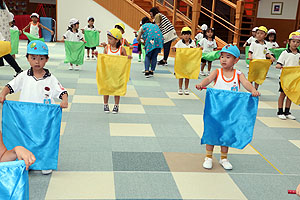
column 34, row 126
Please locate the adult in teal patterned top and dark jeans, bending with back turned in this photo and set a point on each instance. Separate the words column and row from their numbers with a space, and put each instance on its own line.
column 153, row 38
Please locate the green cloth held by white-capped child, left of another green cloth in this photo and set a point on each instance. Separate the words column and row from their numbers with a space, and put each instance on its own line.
column 74, row 52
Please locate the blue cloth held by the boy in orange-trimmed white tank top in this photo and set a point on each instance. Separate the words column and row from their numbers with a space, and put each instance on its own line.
column 229, row 118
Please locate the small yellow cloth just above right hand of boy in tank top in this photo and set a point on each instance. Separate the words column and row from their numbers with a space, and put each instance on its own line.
column 258, row 69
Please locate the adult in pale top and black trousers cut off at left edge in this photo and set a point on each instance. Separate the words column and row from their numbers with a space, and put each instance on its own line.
column 5, row 18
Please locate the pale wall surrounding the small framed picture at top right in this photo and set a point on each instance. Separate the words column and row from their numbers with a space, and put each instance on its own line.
column 289, row 9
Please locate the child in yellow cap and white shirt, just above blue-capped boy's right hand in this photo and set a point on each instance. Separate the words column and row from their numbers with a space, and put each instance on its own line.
column 259, row 49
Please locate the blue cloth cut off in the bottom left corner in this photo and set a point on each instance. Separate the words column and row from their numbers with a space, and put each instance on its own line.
column 14, row 183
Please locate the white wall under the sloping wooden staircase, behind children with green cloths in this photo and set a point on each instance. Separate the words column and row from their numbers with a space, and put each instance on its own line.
column 81, row 10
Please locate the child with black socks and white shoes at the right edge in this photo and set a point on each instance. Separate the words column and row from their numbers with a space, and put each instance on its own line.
column 289, row 57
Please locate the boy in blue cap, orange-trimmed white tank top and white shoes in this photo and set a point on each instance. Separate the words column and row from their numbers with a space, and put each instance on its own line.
column 226, row 78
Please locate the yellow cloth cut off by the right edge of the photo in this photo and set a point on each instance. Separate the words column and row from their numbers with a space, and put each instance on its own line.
column 290, row 83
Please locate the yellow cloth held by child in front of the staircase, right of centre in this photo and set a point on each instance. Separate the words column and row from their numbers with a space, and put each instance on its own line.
column 187, row 63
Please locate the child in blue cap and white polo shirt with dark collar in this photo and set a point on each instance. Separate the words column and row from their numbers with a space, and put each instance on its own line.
column 36, row 84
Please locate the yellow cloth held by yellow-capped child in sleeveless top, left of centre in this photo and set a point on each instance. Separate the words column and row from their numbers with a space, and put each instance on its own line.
column 112, row 74
